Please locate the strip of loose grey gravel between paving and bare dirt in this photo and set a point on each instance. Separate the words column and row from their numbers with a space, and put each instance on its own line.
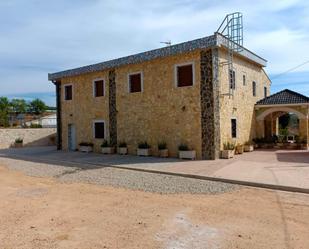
column 129, row 179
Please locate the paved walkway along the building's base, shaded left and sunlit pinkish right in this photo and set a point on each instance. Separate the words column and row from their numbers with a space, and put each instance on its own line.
column 269, row 167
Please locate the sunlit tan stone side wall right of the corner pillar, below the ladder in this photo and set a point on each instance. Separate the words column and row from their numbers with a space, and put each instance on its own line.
column 241, row 104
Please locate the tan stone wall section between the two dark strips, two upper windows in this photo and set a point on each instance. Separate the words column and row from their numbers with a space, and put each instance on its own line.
column 163, row 111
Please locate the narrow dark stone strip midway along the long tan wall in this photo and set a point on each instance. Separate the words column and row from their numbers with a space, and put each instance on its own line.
column 112, row 108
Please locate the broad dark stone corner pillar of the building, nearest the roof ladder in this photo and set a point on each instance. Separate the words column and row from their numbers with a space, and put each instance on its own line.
column 210, row 113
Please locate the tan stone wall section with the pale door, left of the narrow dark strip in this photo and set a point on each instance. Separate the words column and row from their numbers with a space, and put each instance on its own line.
column 84, row 108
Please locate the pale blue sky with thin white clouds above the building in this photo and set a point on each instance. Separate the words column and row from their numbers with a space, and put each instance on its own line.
column 38, row 37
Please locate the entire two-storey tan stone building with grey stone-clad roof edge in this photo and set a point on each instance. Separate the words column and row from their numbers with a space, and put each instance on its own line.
column 177, row 94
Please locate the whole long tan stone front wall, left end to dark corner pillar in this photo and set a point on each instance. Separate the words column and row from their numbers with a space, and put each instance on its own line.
column 162, row 112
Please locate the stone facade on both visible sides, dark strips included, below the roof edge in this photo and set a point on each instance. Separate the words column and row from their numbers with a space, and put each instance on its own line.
column 198, row 116
